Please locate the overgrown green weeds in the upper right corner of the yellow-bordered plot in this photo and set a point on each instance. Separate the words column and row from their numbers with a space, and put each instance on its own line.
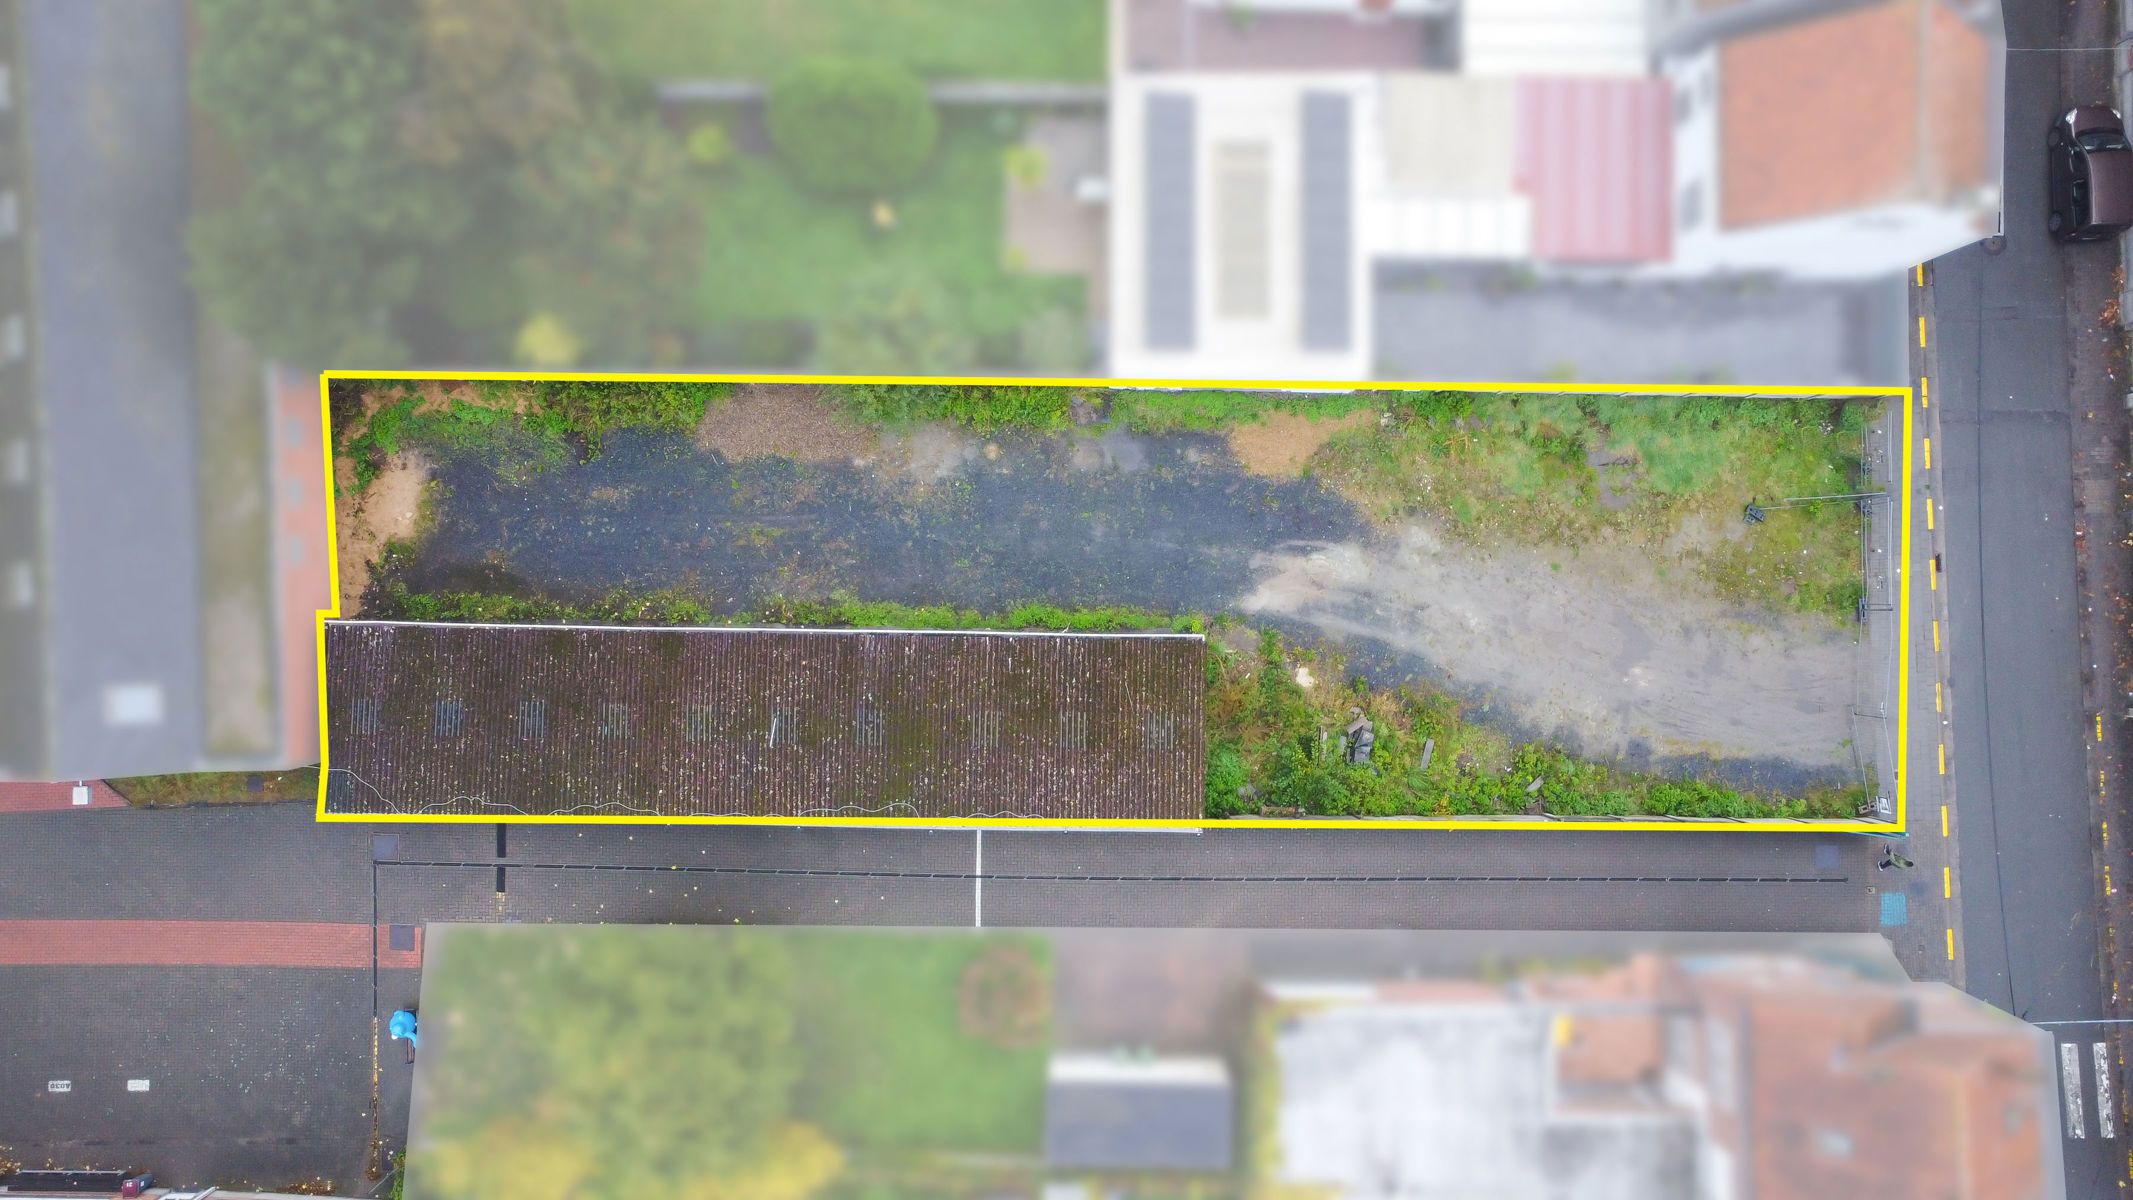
column 1665, row 474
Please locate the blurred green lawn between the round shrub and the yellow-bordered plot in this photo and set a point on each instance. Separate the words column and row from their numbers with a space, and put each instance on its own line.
column 775, row 253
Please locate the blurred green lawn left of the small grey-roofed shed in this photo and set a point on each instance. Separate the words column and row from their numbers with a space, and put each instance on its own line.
column 888, row 1067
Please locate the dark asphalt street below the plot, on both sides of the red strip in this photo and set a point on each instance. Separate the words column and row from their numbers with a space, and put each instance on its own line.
column 266, row 1075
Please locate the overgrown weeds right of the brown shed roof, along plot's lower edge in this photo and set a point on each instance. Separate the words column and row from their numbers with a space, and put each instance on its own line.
column 1277, row 747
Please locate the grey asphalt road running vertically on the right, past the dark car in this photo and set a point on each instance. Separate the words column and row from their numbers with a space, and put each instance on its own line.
column 2006, row 417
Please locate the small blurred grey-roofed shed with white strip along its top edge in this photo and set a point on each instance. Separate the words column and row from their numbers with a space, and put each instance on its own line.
column 1138, row 1124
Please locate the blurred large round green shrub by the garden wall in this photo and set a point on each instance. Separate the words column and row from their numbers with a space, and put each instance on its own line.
column 852, row 127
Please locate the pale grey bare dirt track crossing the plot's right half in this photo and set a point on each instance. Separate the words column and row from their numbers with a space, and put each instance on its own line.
column 1577, row 647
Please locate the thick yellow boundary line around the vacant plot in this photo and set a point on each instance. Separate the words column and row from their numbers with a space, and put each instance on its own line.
column 1904, row 604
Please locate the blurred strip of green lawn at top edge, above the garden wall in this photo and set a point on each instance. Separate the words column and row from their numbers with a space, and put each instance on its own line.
column 754, row 39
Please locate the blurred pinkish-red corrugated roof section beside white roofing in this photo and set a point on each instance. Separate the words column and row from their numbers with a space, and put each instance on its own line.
column 1599, row 161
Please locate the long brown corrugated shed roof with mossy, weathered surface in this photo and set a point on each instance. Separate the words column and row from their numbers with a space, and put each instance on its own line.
column 564, row 721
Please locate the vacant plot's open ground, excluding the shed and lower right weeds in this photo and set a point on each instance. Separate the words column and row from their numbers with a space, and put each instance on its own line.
column 1575, row 570
